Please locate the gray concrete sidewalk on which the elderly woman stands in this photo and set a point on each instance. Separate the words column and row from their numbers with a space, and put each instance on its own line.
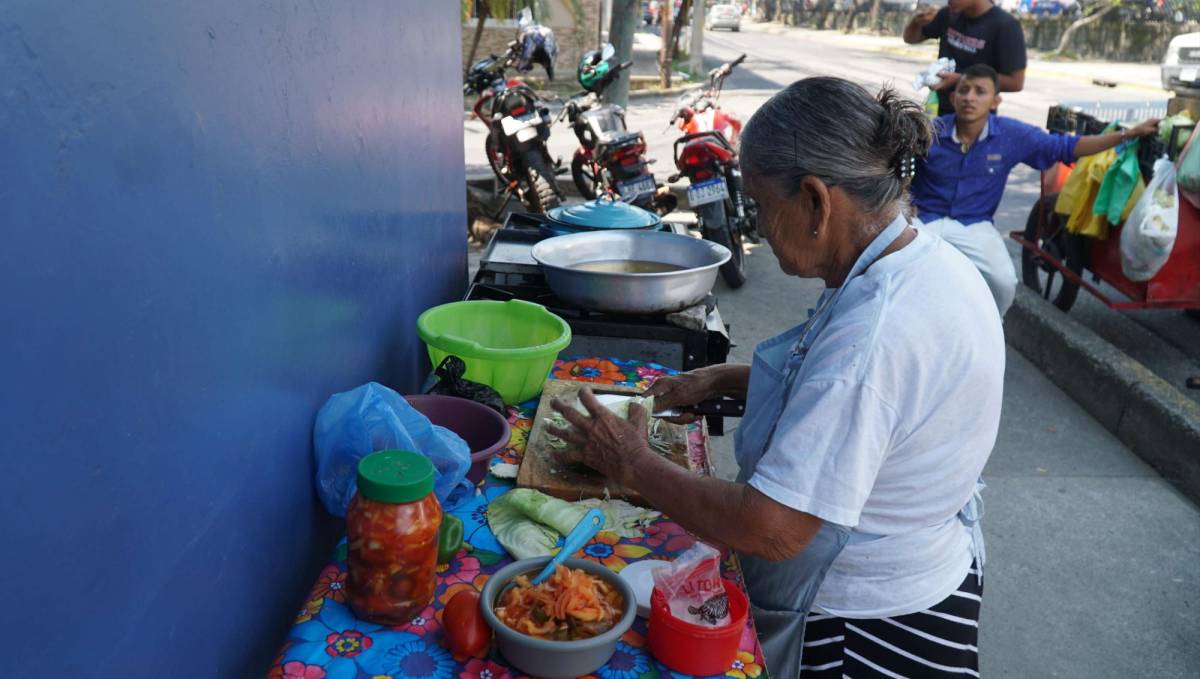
column 1091, row 556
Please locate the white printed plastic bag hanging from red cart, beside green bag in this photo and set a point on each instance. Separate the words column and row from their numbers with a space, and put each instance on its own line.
column 1149, row 235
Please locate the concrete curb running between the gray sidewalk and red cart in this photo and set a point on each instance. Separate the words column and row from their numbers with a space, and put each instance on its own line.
column 1144, row 412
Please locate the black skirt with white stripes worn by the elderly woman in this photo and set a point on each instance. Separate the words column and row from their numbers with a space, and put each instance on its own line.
column 941, row 641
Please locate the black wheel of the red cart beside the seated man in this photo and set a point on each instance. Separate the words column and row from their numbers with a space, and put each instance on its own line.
column 1055, row 241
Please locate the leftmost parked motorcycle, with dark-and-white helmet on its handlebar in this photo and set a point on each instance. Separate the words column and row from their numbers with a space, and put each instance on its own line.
column 518, row 119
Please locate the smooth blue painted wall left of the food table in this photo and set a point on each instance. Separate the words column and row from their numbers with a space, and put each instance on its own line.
column 214, row 215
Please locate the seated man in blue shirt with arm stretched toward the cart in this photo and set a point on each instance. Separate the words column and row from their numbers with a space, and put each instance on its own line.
column 959, row 185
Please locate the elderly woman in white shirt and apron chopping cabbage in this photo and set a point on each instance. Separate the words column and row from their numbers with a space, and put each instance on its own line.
column 867, row 425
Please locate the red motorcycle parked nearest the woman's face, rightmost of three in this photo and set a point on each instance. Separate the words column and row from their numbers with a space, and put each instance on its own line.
column 707, row 155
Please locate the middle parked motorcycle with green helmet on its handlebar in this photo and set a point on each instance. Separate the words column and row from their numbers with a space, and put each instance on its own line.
column 611, row 160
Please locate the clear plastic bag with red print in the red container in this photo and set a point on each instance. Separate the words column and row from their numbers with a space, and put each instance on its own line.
column 693, row 587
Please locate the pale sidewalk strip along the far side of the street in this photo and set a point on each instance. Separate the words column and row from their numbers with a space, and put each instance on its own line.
column 1126, row 75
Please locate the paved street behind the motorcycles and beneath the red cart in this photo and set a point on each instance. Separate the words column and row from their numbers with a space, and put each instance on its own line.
column 1168, row 342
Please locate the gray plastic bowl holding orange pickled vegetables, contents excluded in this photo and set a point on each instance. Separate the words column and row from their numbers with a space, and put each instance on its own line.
column 547, row 659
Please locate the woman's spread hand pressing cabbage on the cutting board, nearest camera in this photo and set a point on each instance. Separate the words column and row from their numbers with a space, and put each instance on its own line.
column 603, row 442
